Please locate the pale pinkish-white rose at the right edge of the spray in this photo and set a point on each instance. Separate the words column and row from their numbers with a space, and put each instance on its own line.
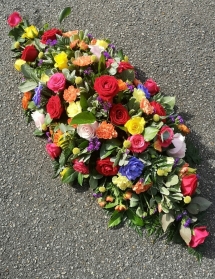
column 180, row 146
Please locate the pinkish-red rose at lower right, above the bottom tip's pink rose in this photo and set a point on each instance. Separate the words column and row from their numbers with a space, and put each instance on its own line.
column 189, row 184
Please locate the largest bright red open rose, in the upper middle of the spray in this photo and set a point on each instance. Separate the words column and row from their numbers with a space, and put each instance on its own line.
column 107, row 87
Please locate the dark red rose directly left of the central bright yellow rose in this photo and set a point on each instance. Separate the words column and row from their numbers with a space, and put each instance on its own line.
column 119, row 114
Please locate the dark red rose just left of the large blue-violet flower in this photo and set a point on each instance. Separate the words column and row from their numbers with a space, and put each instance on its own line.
column 106, row 168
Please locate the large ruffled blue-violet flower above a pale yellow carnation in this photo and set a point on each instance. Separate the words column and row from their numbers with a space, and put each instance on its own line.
column 133, row 169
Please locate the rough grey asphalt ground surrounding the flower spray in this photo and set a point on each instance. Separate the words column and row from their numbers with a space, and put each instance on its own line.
column 50, row 230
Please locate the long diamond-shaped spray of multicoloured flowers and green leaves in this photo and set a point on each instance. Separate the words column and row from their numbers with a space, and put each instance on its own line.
column 106, row 128
